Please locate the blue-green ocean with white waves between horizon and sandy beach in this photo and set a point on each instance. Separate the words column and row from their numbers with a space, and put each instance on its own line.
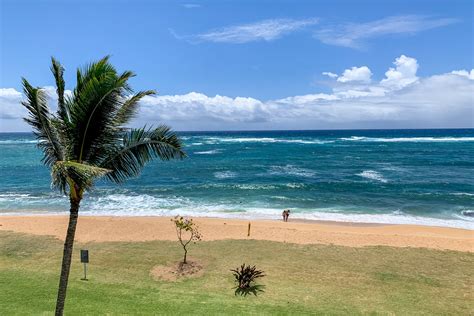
column 386, row 176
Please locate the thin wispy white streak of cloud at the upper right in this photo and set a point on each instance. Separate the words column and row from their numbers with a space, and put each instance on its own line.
column 354, row 35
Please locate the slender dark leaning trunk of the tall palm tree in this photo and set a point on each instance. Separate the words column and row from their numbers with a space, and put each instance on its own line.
column 67, row 254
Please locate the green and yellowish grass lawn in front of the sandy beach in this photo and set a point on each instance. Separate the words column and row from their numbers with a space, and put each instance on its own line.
column 311, row 279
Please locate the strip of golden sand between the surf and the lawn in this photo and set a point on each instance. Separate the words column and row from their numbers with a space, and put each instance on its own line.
column 103, row 229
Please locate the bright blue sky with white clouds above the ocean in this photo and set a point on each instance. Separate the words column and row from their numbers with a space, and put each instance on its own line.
column 255, row 50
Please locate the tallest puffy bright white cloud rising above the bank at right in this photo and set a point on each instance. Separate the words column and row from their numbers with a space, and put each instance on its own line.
column 403, row 74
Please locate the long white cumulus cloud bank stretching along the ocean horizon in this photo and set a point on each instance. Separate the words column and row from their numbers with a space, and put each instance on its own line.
column 400, row 100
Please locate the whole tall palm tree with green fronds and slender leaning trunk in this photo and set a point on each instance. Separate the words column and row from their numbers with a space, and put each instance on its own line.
column 86, row 139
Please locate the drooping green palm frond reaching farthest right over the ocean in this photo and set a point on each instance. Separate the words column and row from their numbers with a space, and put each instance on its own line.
column 139, row 146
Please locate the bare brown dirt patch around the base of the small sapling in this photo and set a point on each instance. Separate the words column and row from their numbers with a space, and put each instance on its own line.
column 177, row 272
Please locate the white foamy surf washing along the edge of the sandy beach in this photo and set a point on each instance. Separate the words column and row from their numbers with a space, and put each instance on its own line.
column 147, row 205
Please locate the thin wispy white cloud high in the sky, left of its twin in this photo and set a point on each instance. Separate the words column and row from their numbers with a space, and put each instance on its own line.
column 266, row 30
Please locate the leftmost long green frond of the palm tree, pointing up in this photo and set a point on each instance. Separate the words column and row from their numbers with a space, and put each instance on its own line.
column 40, row 120
